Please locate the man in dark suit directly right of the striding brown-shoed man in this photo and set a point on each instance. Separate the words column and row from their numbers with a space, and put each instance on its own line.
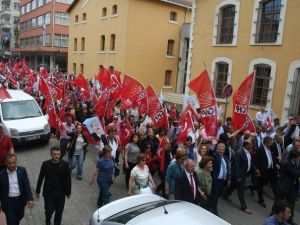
column 265, row 164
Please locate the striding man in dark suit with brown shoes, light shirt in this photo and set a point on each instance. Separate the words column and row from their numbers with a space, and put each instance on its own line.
column 240, row 169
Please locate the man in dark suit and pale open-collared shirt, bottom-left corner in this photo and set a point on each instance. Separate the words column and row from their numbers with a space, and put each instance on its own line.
column 15, row 191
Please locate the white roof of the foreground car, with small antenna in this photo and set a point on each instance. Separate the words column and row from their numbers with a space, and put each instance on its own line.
column 179, row 212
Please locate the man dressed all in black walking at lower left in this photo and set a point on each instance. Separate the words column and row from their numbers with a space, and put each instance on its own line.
column 57, row 185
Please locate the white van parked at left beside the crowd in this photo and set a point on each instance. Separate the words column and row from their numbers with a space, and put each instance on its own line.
column 22, row 118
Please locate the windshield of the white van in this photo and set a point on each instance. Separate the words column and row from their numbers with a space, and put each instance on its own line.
column 20, row 110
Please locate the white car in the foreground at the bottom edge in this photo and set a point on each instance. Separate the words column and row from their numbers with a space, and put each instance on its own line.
column 149, row 209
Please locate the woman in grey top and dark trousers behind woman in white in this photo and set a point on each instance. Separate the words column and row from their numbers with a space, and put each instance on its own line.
column 132, row 150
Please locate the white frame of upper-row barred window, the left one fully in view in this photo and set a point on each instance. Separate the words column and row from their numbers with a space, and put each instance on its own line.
column 236, row 3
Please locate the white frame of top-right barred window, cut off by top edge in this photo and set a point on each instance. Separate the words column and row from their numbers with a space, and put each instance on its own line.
column 280, row 28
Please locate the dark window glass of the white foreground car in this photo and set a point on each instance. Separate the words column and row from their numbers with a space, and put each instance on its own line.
column 128, row 214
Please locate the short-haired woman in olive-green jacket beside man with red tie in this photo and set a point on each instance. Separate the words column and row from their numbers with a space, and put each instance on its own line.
column 204, row 181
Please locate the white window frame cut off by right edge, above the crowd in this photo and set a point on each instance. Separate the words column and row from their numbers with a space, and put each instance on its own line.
column 288, row 91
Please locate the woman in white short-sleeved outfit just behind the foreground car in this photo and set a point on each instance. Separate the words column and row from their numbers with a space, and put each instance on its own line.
column 141, row 181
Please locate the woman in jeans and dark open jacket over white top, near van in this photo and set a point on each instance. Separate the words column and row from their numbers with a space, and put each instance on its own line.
column 77, row 150
